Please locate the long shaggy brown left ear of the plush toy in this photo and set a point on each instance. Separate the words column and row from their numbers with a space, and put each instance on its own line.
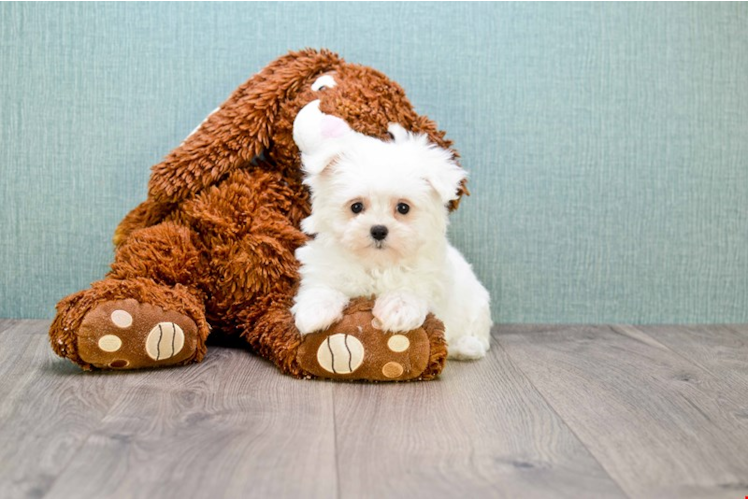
column 239, row 130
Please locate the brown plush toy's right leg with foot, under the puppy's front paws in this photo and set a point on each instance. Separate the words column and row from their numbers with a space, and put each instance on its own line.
column 354, row 348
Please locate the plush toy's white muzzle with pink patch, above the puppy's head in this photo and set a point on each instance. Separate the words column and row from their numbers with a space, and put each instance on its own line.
column 320, row 138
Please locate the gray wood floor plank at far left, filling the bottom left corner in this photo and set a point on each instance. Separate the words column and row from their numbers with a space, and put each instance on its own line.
column 48, row 407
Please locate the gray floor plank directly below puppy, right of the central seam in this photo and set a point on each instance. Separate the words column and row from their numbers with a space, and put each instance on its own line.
column 480, row 431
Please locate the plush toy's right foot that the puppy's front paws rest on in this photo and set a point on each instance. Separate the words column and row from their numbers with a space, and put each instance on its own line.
column 356, row 348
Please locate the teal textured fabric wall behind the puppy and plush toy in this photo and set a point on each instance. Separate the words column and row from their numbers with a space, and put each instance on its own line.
column 607, row 143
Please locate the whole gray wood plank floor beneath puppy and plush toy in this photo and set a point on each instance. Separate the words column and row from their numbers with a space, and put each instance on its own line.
column 554, row 411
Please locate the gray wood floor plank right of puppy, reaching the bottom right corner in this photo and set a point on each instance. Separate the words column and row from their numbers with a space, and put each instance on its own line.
column 652, row 418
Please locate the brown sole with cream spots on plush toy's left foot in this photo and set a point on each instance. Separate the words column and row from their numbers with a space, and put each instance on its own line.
column 126, row 334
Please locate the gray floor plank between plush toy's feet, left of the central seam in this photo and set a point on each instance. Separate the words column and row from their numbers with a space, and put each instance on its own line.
column 231, row 427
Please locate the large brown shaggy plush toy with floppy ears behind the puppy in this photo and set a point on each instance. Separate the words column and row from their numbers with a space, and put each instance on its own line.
column 213, row 245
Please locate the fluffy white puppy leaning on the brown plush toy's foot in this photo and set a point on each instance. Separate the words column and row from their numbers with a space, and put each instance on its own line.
column 379, row 216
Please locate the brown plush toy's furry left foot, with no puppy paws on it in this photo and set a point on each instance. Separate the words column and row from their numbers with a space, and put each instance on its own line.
column 131, row 323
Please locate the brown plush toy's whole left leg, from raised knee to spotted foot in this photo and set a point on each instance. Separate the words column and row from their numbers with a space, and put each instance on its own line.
column 148, row 312
